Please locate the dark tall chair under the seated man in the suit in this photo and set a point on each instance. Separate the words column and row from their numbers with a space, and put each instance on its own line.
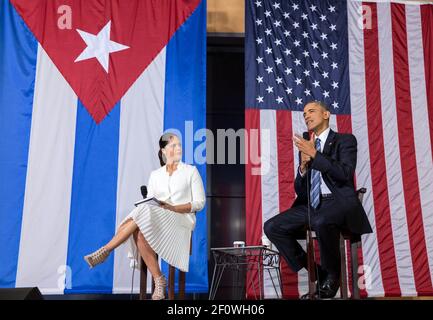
column 355, row 243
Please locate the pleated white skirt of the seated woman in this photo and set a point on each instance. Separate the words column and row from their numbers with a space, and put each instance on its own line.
column 168, row 234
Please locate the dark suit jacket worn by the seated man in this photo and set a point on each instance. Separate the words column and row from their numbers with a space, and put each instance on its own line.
column 337, row 164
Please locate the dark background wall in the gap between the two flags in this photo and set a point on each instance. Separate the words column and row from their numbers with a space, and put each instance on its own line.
column 225, row 182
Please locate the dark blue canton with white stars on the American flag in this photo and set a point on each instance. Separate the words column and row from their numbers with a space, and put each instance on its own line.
column 296, row 52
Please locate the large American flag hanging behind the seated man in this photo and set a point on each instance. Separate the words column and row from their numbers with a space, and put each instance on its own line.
column 371, row 63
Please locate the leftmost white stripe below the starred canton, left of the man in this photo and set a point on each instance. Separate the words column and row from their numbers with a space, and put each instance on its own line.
column 269, row 179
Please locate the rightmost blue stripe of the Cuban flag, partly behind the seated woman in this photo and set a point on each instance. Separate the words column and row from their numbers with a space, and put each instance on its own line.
column 185, row 100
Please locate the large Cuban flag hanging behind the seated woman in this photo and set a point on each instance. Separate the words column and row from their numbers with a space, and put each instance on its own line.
column 86, row 90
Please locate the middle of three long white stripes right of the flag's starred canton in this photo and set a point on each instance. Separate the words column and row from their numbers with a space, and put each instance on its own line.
column 392, row 152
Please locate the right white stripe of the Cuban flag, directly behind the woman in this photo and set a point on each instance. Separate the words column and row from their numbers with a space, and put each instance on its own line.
column 141, row 125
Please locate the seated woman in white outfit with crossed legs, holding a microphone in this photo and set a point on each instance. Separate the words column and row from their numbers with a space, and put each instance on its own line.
column 164, row 230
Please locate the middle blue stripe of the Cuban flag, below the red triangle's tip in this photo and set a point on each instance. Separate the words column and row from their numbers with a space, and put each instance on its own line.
column 93, row 203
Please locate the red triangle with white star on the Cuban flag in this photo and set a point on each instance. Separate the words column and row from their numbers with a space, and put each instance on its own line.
column 108, row 45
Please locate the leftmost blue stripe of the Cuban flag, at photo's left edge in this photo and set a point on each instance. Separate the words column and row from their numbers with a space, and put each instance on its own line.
column 18, row 56
